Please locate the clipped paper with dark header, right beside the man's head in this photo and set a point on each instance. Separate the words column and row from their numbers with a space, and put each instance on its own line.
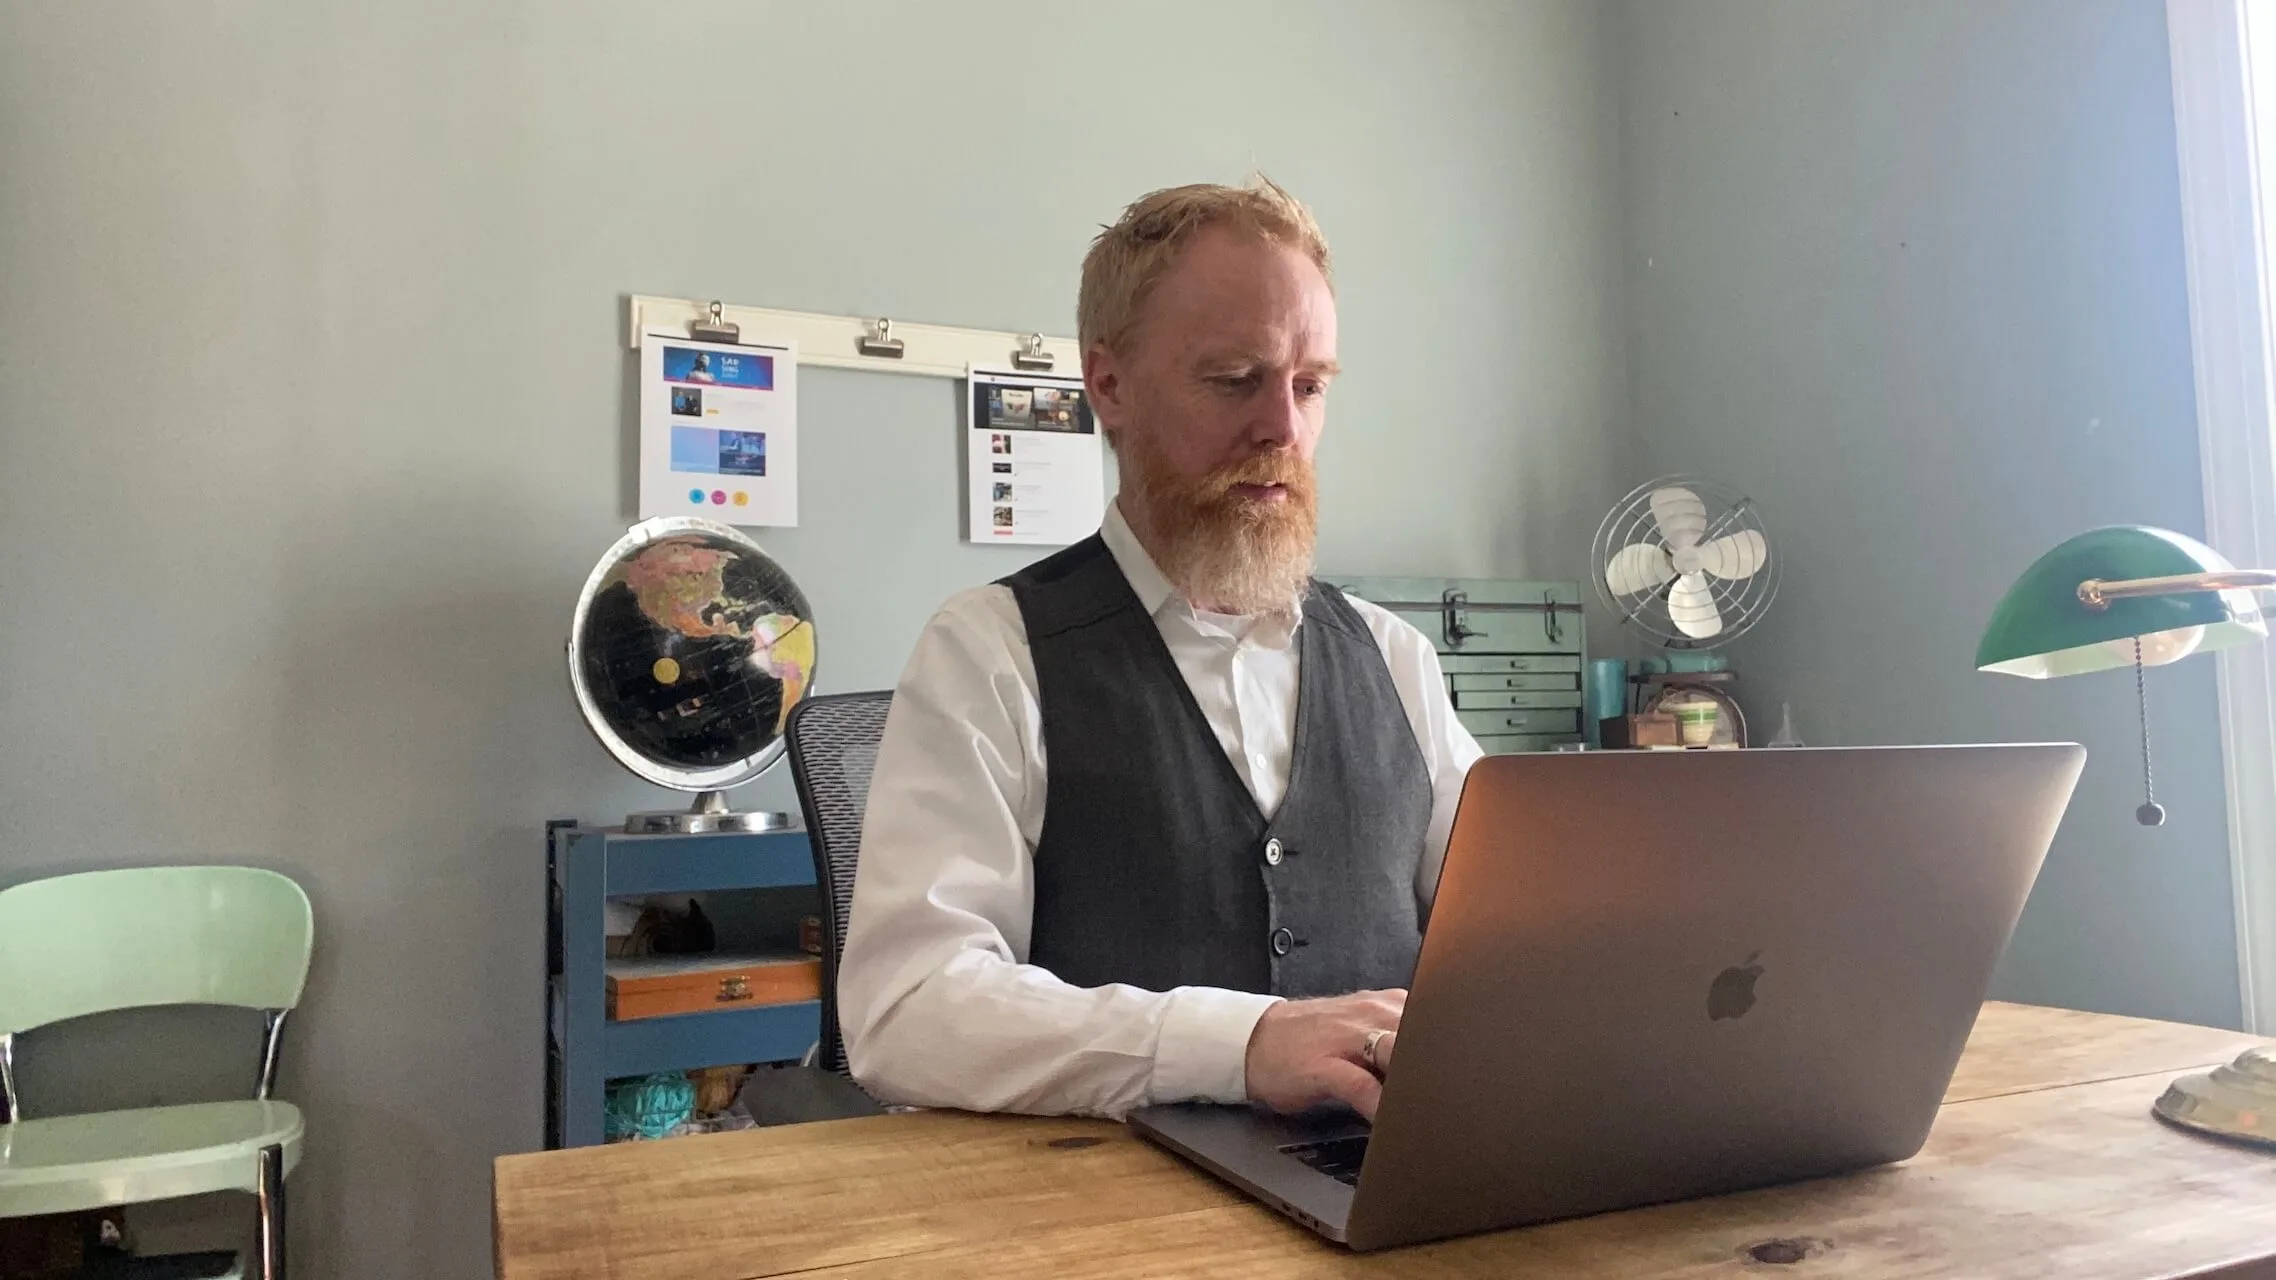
column 1034, row 459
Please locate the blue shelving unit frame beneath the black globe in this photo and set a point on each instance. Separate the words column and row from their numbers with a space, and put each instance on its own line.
column 586, row 867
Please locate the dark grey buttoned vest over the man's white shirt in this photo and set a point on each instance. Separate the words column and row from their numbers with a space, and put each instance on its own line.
column 1155, row 867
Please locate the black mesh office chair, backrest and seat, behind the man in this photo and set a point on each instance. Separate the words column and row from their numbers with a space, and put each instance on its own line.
column 832, row 744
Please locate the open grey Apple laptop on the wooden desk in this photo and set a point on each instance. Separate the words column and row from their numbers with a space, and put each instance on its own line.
column 1654, row 976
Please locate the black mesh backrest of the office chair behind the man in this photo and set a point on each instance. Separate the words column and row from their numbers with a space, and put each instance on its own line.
column 832, row 755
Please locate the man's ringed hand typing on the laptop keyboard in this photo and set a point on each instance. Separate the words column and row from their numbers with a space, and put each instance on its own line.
column 1314, row 1051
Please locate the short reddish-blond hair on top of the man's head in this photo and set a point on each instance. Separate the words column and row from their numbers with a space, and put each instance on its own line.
column 1130, row 259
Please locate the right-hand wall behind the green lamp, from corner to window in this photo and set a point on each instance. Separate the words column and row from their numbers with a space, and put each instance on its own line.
column 1913, row 277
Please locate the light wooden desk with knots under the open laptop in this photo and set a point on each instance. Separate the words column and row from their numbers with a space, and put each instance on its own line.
column 2043, row 1163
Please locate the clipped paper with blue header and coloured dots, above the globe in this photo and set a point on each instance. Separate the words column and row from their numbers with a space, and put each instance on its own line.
column 720, row 429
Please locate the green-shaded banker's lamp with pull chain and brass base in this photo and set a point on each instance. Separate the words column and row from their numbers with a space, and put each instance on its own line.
column 2143, row 598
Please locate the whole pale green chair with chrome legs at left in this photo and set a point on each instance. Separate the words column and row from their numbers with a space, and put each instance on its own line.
column 129, row 940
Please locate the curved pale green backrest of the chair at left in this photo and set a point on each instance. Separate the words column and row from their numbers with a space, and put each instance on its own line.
column 124, row 940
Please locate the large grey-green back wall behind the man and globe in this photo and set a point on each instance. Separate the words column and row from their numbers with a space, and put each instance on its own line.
column 313, row 418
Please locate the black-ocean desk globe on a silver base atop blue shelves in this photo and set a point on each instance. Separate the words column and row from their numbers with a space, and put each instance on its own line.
column 688, row 650
